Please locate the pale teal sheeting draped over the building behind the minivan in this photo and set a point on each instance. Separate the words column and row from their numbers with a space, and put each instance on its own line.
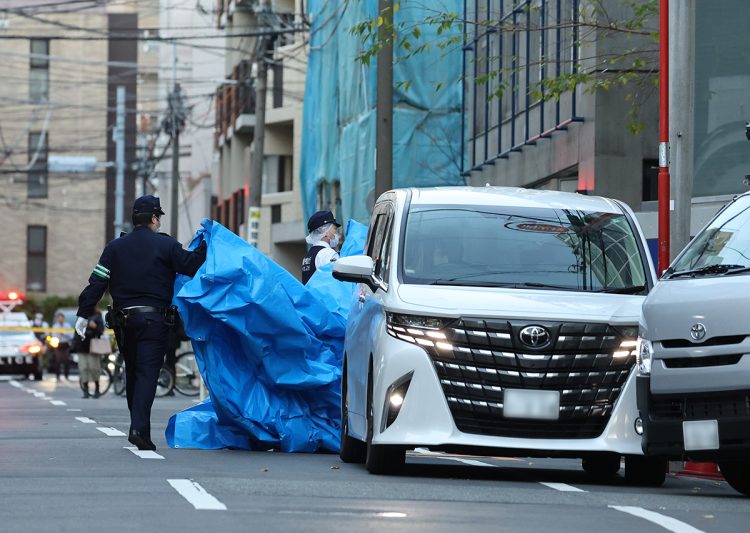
column 338, row 129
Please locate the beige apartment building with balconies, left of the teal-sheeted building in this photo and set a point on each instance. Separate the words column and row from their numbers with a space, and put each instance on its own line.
column 282, row 230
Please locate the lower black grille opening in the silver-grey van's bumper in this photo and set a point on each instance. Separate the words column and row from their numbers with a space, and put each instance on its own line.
column 700, row 407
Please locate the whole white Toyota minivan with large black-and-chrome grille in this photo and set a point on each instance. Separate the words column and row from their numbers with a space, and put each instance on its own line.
column 496, row 320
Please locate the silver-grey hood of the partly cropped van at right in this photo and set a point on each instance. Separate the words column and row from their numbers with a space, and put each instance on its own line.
column 674, row 306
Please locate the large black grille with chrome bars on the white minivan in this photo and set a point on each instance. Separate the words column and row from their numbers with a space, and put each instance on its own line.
column 479, row 359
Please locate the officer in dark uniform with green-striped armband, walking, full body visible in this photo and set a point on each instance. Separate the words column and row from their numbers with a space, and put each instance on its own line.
column 139, row 270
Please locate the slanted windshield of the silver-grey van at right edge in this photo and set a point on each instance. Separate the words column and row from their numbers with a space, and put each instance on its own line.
column 725, row 241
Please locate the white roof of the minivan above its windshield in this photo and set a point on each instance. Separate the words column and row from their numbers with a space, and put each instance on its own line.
column 512, row 196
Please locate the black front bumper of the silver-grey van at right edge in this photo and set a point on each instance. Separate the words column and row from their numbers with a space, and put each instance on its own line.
column 663, row 415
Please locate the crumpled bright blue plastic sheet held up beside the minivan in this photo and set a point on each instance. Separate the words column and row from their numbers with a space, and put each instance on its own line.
column 269, row 349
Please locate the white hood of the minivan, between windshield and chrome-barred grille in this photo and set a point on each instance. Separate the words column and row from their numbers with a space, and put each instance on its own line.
column 521, row 303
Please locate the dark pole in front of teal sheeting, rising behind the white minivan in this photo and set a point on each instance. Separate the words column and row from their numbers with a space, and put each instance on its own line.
column 384, row 113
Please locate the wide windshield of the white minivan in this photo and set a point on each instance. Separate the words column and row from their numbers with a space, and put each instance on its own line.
column 522, row 247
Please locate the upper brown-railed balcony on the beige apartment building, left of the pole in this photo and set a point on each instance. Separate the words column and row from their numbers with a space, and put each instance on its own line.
column 235, row 104
